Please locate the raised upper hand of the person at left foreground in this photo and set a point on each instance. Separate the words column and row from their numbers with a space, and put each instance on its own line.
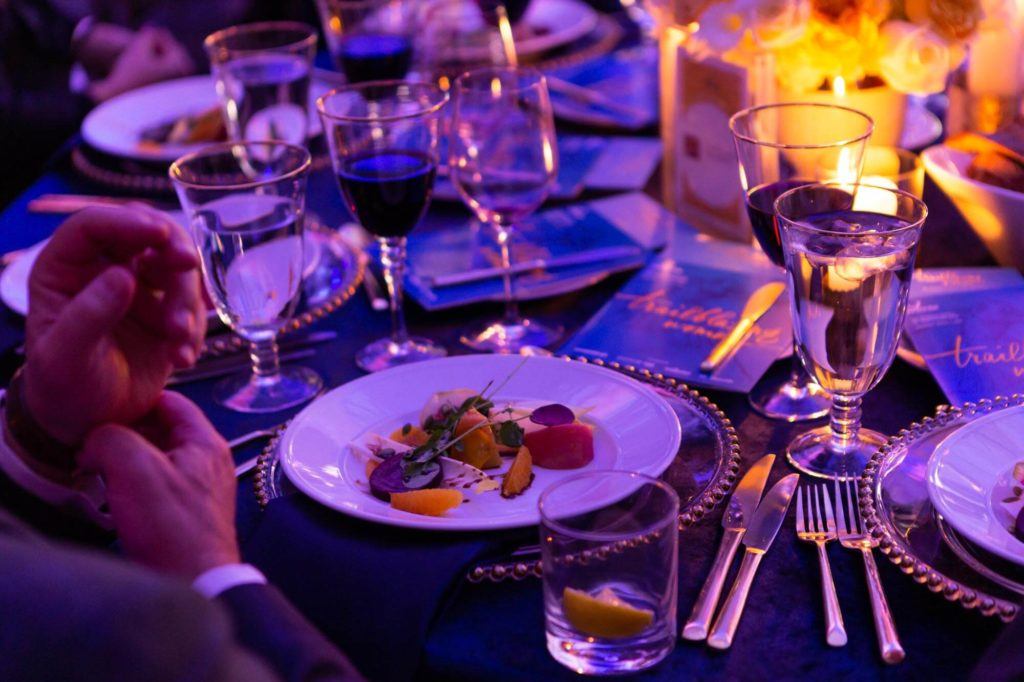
column 115, row 307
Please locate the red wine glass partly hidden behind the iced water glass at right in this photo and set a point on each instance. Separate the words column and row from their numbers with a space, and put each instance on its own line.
column 781, row 147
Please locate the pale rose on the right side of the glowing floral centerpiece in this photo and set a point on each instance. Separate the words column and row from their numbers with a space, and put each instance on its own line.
column 915, row 59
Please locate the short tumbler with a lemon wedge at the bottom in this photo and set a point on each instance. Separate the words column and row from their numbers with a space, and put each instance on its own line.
column 610, row 546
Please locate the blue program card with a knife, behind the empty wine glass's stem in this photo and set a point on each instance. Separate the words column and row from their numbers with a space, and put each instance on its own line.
column 582, row 243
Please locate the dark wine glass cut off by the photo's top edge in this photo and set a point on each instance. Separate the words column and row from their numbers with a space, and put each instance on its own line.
column 369, row 40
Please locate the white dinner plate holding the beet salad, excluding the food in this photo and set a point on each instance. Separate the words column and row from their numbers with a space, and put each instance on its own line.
column 634, row 431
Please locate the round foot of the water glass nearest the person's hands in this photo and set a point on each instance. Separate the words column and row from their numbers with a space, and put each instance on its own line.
column 246, row 393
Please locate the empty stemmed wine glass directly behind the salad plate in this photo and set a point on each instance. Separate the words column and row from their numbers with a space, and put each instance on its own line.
column 503, row 160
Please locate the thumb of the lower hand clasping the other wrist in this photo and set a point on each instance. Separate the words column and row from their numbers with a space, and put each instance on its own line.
column 130, row 464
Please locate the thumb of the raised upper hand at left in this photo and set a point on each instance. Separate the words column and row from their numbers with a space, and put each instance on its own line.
column 96, row 311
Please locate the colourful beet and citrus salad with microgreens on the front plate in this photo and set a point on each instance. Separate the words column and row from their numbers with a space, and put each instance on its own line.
column 466, row 442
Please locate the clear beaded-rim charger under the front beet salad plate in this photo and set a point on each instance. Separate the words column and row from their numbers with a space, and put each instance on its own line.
column 704, row 471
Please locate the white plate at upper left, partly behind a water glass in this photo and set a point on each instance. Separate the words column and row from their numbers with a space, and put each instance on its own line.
column 116, row 126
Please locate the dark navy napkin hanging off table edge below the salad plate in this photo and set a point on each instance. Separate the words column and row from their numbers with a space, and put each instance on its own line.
column 373, row 590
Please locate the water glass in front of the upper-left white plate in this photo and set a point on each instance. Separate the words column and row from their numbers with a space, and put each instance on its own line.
column 263, row 73
